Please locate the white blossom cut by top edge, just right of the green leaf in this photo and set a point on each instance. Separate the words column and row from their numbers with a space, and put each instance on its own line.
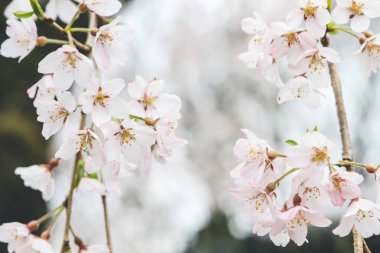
column 63, row 9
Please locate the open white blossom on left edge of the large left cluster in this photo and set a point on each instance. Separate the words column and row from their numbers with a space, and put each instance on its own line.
column 58, row 114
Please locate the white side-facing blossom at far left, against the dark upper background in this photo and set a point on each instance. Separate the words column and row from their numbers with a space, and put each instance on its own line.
column 22, row 38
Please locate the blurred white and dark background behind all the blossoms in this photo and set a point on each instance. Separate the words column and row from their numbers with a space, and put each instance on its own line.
column 184, row 205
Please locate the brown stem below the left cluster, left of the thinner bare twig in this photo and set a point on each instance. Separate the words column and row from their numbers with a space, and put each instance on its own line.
column 69, row 201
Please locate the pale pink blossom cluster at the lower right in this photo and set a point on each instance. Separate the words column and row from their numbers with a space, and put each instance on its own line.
column 318, row 180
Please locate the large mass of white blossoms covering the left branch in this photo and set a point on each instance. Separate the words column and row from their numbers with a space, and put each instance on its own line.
column 110, row 126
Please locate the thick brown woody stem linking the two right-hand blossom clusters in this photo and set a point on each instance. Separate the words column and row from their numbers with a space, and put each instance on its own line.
column 344, row 133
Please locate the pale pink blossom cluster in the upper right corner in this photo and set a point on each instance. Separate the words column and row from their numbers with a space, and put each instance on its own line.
column 298, row 42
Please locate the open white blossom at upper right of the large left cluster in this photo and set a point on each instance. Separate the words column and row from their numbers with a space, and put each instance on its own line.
column 149, row 101
